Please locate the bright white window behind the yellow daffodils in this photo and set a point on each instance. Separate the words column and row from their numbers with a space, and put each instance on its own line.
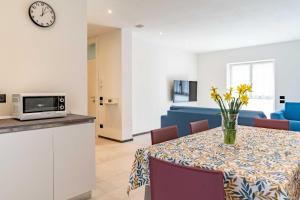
column 260, row 74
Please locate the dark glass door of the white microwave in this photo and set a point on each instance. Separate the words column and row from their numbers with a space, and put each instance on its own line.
column 40, row 104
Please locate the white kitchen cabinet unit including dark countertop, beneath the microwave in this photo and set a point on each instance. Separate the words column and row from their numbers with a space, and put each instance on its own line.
column 55, row 162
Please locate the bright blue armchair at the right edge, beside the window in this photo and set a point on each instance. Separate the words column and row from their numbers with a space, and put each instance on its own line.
column 291, row 112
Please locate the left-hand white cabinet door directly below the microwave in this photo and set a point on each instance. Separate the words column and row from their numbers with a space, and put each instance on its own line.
column 26, row 165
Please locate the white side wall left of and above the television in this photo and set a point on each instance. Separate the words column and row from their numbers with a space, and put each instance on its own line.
column 154, row 69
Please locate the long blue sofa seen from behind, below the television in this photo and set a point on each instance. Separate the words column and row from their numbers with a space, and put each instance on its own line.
column 183, row 115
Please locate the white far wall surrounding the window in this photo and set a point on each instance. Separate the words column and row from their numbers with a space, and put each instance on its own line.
column 212, row 69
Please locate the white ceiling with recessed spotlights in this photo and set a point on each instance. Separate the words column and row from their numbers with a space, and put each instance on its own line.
column 203, row 25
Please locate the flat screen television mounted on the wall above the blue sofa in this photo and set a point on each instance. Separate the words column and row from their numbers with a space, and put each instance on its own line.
column 184, row 91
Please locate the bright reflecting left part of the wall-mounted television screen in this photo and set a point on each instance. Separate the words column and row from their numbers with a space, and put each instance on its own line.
column 181, row 91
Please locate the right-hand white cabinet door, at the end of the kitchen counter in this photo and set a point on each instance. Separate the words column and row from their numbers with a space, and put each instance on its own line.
column 74, row 160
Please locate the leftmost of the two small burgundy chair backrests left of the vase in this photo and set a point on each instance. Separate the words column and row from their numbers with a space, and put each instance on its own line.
column 164, row 134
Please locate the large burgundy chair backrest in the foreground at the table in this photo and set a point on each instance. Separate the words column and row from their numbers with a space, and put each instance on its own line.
column 176, row 182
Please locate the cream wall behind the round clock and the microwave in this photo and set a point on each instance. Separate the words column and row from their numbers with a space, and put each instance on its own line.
column 34, row 59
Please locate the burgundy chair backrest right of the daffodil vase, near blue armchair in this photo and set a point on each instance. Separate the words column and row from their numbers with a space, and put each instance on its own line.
column 272, row 124
